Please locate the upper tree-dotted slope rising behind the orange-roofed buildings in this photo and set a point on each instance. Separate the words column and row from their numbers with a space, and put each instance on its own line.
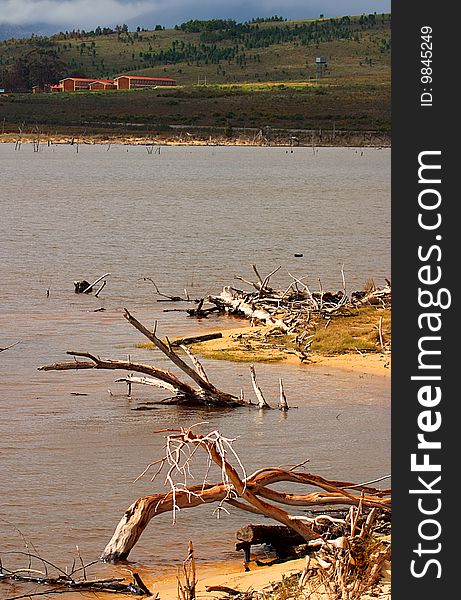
column 223, row 51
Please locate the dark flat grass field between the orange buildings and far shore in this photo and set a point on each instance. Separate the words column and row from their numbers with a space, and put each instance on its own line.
column 354, row 108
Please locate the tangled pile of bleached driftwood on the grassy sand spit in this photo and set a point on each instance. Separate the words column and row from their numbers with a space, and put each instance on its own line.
column 294, row 310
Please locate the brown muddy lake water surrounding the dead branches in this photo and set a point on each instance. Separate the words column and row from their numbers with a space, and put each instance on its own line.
column 187, row 217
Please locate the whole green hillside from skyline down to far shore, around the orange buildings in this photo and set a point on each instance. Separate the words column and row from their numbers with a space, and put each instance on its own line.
column 238, row 61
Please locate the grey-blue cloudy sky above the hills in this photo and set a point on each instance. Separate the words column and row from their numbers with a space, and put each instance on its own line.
column 90, row 13
